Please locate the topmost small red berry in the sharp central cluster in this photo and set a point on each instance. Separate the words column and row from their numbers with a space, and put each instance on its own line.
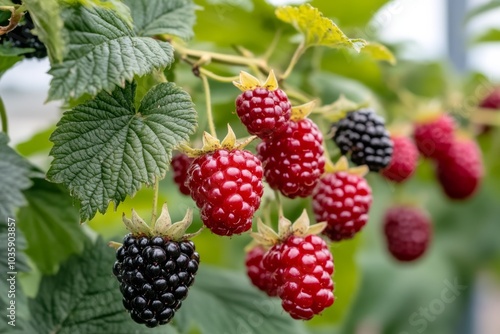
column 264, row 112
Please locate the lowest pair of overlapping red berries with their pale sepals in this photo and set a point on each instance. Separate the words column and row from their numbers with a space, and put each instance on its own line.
column 297, row 268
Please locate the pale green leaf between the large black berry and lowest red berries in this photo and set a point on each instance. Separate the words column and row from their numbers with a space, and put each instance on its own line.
column 225, row 302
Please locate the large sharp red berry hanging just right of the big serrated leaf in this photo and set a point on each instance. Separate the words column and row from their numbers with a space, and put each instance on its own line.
column 227, row 187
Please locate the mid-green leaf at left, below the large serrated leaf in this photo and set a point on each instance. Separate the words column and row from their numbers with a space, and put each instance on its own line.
column 50, row 218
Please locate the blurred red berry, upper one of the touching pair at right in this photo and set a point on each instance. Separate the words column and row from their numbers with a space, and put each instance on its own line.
column 434, row 136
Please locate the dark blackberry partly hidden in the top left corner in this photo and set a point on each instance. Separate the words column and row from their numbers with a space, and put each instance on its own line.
column 22, row 37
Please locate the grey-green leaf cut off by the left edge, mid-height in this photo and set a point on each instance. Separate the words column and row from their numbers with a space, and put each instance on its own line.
column 15, row 174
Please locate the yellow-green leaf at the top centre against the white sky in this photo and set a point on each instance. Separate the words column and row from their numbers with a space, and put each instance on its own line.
column 317, row 29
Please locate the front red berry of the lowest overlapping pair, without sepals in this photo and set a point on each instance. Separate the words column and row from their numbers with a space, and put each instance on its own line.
column 306, row 268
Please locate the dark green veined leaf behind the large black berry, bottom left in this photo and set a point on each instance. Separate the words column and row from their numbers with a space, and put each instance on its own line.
column 84, row 297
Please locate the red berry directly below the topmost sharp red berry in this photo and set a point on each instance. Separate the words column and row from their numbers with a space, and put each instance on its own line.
column 293, row 160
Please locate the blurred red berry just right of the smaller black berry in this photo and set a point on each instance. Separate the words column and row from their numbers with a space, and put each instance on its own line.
column 404, row 160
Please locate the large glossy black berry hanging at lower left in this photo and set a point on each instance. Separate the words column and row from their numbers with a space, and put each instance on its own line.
column 154, row 274
